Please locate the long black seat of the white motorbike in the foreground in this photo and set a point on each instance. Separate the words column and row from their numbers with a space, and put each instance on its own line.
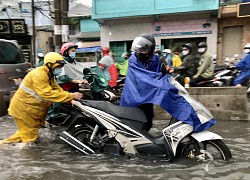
column 131, row 113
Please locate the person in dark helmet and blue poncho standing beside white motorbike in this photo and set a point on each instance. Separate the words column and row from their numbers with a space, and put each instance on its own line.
column 145, row 85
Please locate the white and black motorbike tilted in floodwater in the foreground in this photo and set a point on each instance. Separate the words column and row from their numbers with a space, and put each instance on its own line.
column 104, row 127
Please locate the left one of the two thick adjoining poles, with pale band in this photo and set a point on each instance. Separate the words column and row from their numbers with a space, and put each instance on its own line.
column 57, row 26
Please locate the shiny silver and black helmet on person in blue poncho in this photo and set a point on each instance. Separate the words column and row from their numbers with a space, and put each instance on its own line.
column 144, row 43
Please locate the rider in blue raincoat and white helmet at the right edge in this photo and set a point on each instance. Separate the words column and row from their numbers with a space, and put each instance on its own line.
column 244, row 67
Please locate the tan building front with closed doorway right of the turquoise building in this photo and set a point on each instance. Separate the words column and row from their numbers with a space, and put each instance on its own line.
column 233, row 30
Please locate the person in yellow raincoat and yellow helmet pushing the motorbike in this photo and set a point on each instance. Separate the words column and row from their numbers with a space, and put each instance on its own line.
column 30, row 103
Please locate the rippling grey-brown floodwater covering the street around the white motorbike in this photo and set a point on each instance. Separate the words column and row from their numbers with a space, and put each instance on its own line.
column 51, row 158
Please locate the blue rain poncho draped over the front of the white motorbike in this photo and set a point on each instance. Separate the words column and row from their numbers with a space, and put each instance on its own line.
column 145, row 84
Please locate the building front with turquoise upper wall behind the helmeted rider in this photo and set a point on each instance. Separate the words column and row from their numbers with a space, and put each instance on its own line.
column 173, row 23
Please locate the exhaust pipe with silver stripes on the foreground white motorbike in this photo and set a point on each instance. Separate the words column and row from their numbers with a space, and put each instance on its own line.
column 76, row 143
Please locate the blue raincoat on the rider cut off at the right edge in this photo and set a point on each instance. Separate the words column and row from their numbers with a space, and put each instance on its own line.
column 244, row 67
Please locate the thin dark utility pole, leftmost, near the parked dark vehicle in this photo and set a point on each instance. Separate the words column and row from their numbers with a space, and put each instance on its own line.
column 33, row 60
